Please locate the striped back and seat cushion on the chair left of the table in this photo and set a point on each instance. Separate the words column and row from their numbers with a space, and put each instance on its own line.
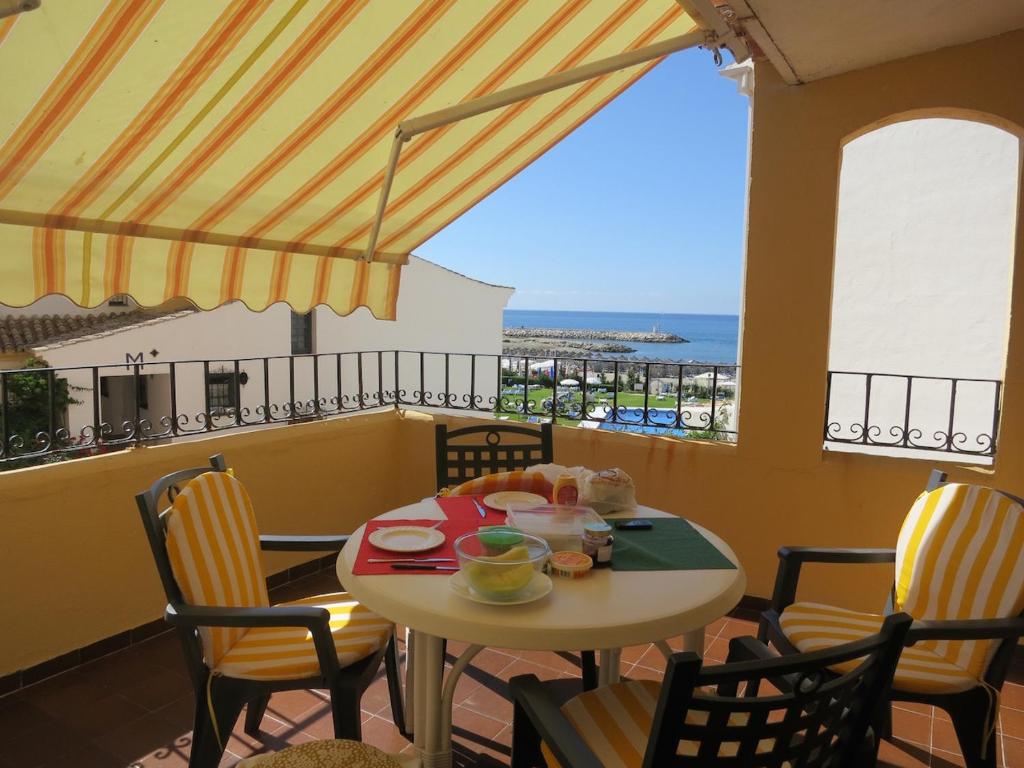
column 214, row 546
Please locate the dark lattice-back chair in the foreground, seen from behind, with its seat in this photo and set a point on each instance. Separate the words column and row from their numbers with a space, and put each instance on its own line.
column 697, row 717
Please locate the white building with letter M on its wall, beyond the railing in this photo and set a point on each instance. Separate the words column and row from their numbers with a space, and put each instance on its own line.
column 238, row 365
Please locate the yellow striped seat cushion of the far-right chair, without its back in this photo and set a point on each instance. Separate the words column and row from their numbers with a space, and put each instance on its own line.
column 814, row 627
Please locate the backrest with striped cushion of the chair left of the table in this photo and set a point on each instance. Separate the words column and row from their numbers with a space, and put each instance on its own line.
column 206, row 546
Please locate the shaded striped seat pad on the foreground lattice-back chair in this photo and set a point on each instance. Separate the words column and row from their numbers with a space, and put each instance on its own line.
column 615, row 721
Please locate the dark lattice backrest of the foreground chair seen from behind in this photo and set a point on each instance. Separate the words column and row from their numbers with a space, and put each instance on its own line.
column 819, row 721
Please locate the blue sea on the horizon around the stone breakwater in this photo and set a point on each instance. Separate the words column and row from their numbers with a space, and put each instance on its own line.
column 713, row 338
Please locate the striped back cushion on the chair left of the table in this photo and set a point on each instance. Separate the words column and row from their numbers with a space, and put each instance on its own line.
column 214, row 546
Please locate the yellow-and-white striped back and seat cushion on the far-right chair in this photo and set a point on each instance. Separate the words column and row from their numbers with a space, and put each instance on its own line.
column 958, row 558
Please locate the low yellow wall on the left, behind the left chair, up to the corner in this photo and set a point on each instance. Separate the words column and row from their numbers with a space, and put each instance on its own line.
column 75, row 567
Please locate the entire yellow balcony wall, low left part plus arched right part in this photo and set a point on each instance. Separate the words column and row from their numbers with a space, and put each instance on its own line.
column 75, row 567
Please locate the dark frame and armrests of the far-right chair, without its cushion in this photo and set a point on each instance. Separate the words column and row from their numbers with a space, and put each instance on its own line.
column 973, row 710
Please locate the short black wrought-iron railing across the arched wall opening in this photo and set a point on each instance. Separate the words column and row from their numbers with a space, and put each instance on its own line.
column 914, row 413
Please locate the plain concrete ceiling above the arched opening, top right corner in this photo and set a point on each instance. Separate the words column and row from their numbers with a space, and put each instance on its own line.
column 813, row 39
